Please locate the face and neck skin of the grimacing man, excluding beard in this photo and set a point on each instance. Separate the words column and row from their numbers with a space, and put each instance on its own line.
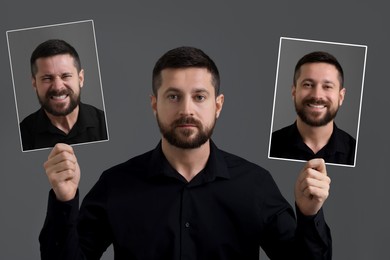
column 58, row 73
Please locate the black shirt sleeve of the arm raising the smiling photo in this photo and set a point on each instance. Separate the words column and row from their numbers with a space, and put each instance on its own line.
column 288, row 237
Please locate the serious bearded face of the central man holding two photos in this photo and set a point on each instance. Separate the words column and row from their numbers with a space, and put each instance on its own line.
column 186, row 107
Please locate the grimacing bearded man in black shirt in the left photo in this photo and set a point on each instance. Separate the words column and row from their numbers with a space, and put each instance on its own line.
column 58, row 78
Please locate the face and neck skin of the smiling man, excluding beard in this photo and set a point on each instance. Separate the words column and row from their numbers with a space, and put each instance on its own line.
column 319, row 81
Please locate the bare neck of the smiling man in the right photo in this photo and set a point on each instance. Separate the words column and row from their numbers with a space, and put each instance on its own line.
column 315, row 137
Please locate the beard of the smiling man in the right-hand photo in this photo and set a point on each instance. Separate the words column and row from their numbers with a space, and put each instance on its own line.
column 314, row 121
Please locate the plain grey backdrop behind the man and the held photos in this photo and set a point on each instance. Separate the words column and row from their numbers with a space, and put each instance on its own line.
column 243, row 38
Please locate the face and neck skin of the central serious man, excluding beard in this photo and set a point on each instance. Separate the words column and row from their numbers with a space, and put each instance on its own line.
column 187, row 92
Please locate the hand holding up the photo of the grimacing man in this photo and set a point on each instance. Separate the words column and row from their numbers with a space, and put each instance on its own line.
column 63, row 172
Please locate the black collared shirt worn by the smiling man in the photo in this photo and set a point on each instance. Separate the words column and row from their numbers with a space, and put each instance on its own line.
column 287, row 143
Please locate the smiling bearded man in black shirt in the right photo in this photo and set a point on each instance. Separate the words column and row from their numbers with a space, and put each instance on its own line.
column 318, row 92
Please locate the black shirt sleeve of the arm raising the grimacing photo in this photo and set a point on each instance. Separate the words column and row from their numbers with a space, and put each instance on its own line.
column 70, row 233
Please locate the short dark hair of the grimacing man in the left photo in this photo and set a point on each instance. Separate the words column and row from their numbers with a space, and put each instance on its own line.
column 51, row 48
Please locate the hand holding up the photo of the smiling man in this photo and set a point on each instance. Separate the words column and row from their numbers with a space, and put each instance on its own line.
column 312, row 187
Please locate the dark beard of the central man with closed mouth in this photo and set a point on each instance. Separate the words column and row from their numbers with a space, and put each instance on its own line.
column 181, row 138
